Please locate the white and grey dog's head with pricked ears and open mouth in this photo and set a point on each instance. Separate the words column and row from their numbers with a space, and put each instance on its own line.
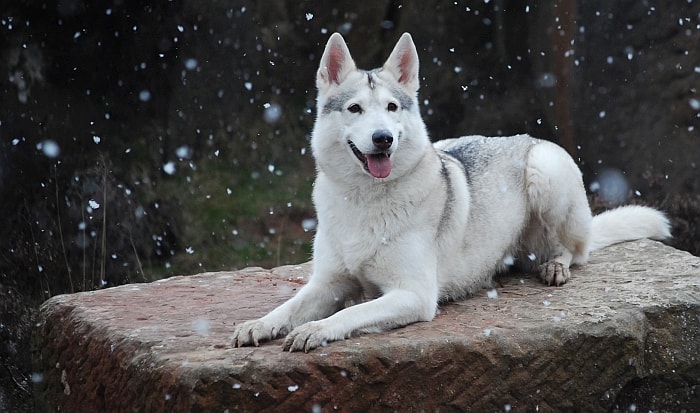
column 368, row 122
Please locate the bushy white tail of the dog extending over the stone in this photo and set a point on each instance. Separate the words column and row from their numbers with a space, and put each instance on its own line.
column 628, row 223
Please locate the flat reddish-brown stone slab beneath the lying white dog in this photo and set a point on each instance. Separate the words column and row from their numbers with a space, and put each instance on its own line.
column 623, row 334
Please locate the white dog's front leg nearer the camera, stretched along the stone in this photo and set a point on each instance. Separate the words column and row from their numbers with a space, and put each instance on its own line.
column 395, row 308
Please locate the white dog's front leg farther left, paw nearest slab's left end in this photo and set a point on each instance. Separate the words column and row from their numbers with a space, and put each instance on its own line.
column 316, row 300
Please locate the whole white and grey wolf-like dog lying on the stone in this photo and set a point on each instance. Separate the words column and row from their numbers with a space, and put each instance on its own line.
column 404, row 224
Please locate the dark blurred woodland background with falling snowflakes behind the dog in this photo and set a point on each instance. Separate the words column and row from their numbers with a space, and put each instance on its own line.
column 145, row 139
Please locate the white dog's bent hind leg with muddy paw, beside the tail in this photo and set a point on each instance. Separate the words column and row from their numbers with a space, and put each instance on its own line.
column 560, row 212
